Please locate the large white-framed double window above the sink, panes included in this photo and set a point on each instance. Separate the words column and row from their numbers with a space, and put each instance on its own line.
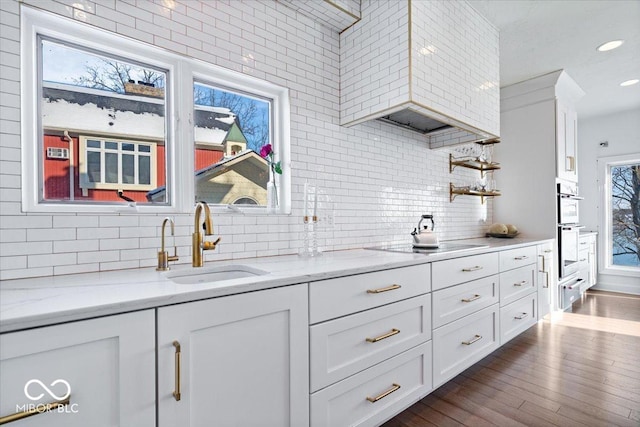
column 108, row 117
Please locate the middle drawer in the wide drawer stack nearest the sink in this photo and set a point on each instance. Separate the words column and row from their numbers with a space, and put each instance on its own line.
column 350, row 344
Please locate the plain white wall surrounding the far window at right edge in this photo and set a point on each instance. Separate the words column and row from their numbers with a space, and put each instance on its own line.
column 622, row 131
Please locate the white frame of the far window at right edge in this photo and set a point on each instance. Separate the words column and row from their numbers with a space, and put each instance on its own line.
column 605, row 255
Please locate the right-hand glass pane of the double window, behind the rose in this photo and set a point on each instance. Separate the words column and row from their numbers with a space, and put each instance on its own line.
column 227, row 125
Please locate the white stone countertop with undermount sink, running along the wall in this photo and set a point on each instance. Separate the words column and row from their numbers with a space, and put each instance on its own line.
column 35, row 302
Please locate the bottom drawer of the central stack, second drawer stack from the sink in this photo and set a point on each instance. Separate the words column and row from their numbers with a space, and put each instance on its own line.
column 460, row 344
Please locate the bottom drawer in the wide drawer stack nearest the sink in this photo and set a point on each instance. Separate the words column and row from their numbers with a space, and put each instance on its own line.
column 372, row 396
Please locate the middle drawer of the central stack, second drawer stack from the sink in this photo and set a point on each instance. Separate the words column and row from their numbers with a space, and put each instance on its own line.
column 453, row 303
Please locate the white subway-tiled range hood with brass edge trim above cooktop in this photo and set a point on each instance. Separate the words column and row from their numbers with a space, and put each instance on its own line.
column 431, row 67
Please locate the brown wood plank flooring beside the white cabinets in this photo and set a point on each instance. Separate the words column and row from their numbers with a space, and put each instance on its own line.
column 573, row 369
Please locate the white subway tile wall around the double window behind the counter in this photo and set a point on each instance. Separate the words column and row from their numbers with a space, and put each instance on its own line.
column 380, row 177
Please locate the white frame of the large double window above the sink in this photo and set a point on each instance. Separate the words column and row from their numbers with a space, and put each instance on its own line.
column 182, row 72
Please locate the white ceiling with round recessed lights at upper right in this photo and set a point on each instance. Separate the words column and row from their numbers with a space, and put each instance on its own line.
column 537, row 37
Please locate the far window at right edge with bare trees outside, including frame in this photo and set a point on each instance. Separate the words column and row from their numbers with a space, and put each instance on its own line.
column 621, row 178
